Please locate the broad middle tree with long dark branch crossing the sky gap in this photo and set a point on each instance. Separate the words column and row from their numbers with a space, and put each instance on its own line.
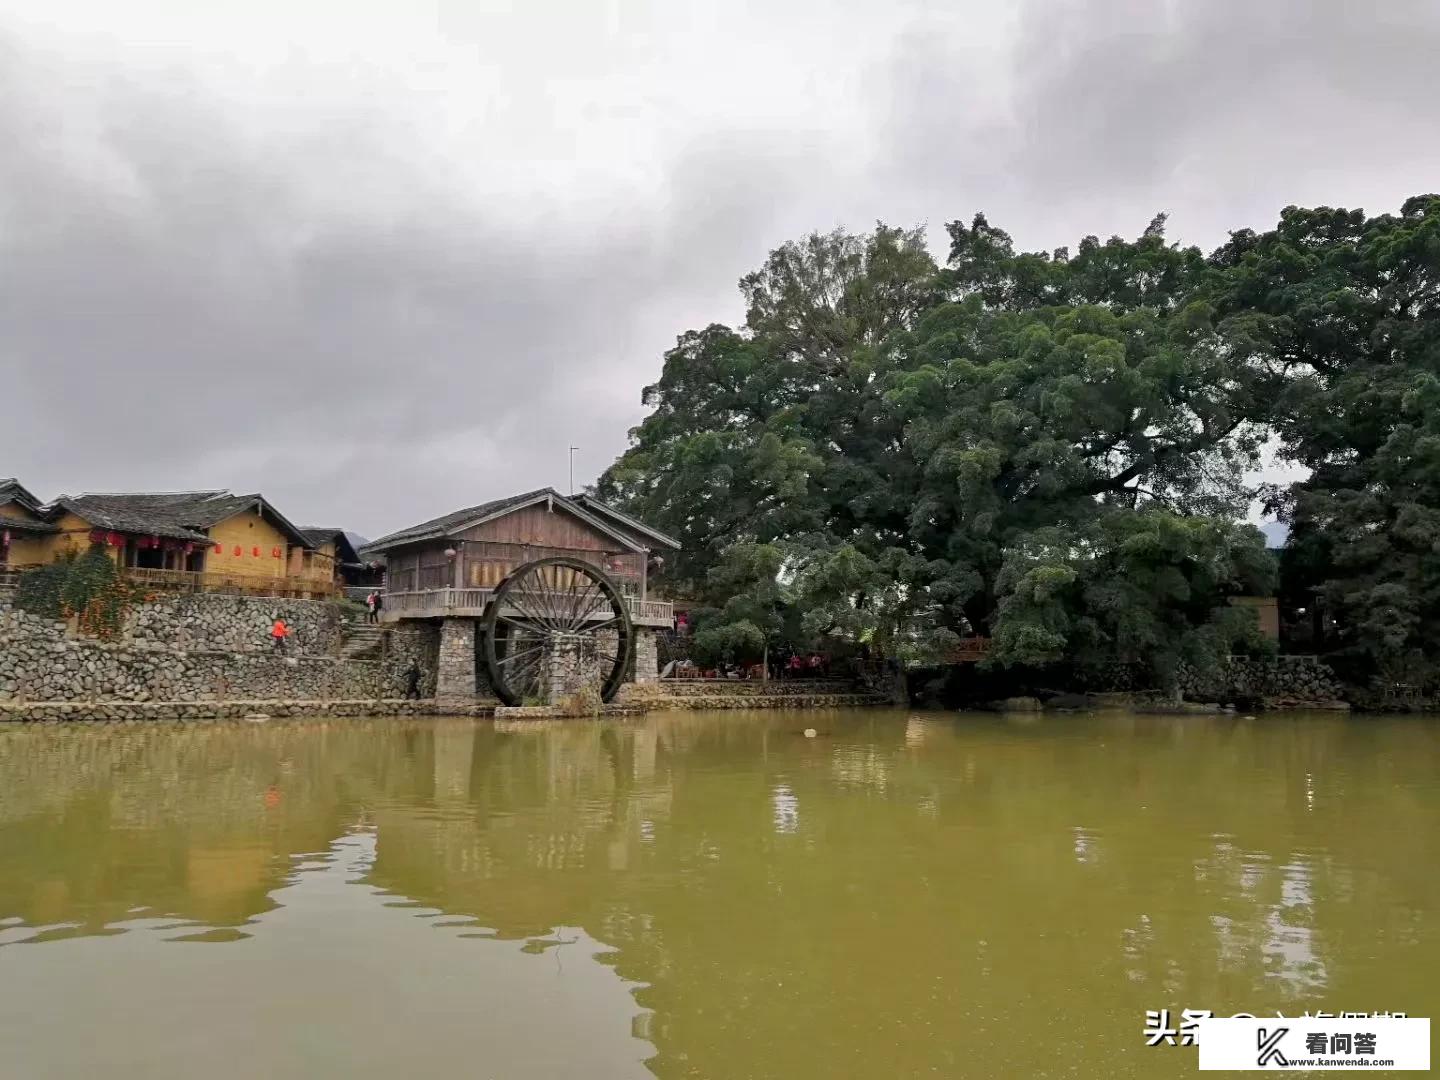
column 1050, row 391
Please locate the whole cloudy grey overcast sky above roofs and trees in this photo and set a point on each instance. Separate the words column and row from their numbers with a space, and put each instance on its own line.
column 381, row 261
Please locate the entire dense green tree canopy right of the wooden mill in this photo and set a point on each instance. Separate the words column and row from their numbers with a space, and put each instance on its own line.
column 1050, row 450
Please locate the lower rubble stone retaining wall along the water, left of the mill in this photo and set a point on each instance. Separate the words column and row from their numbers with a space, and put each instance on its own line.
column 41, row 663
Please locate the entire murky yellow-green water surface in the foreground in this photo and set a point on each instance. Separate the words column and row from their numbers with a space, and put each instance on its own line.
column 702, row 895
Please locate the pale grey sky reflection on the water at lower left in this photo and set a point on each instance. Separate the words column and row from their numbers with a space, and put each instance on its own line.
column 332, row 981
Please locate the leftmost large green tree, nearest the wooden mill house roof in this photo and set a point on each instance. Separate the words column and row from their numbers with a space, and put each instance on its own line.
column 770, row 433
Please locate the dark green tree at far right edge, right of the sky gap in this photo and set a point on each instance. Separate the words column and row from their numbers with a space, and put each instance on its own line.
column 1347, row 307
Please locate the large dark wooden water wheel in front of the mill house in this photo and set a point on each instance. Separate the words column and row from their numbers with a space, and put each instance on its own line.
column 549, row 608
